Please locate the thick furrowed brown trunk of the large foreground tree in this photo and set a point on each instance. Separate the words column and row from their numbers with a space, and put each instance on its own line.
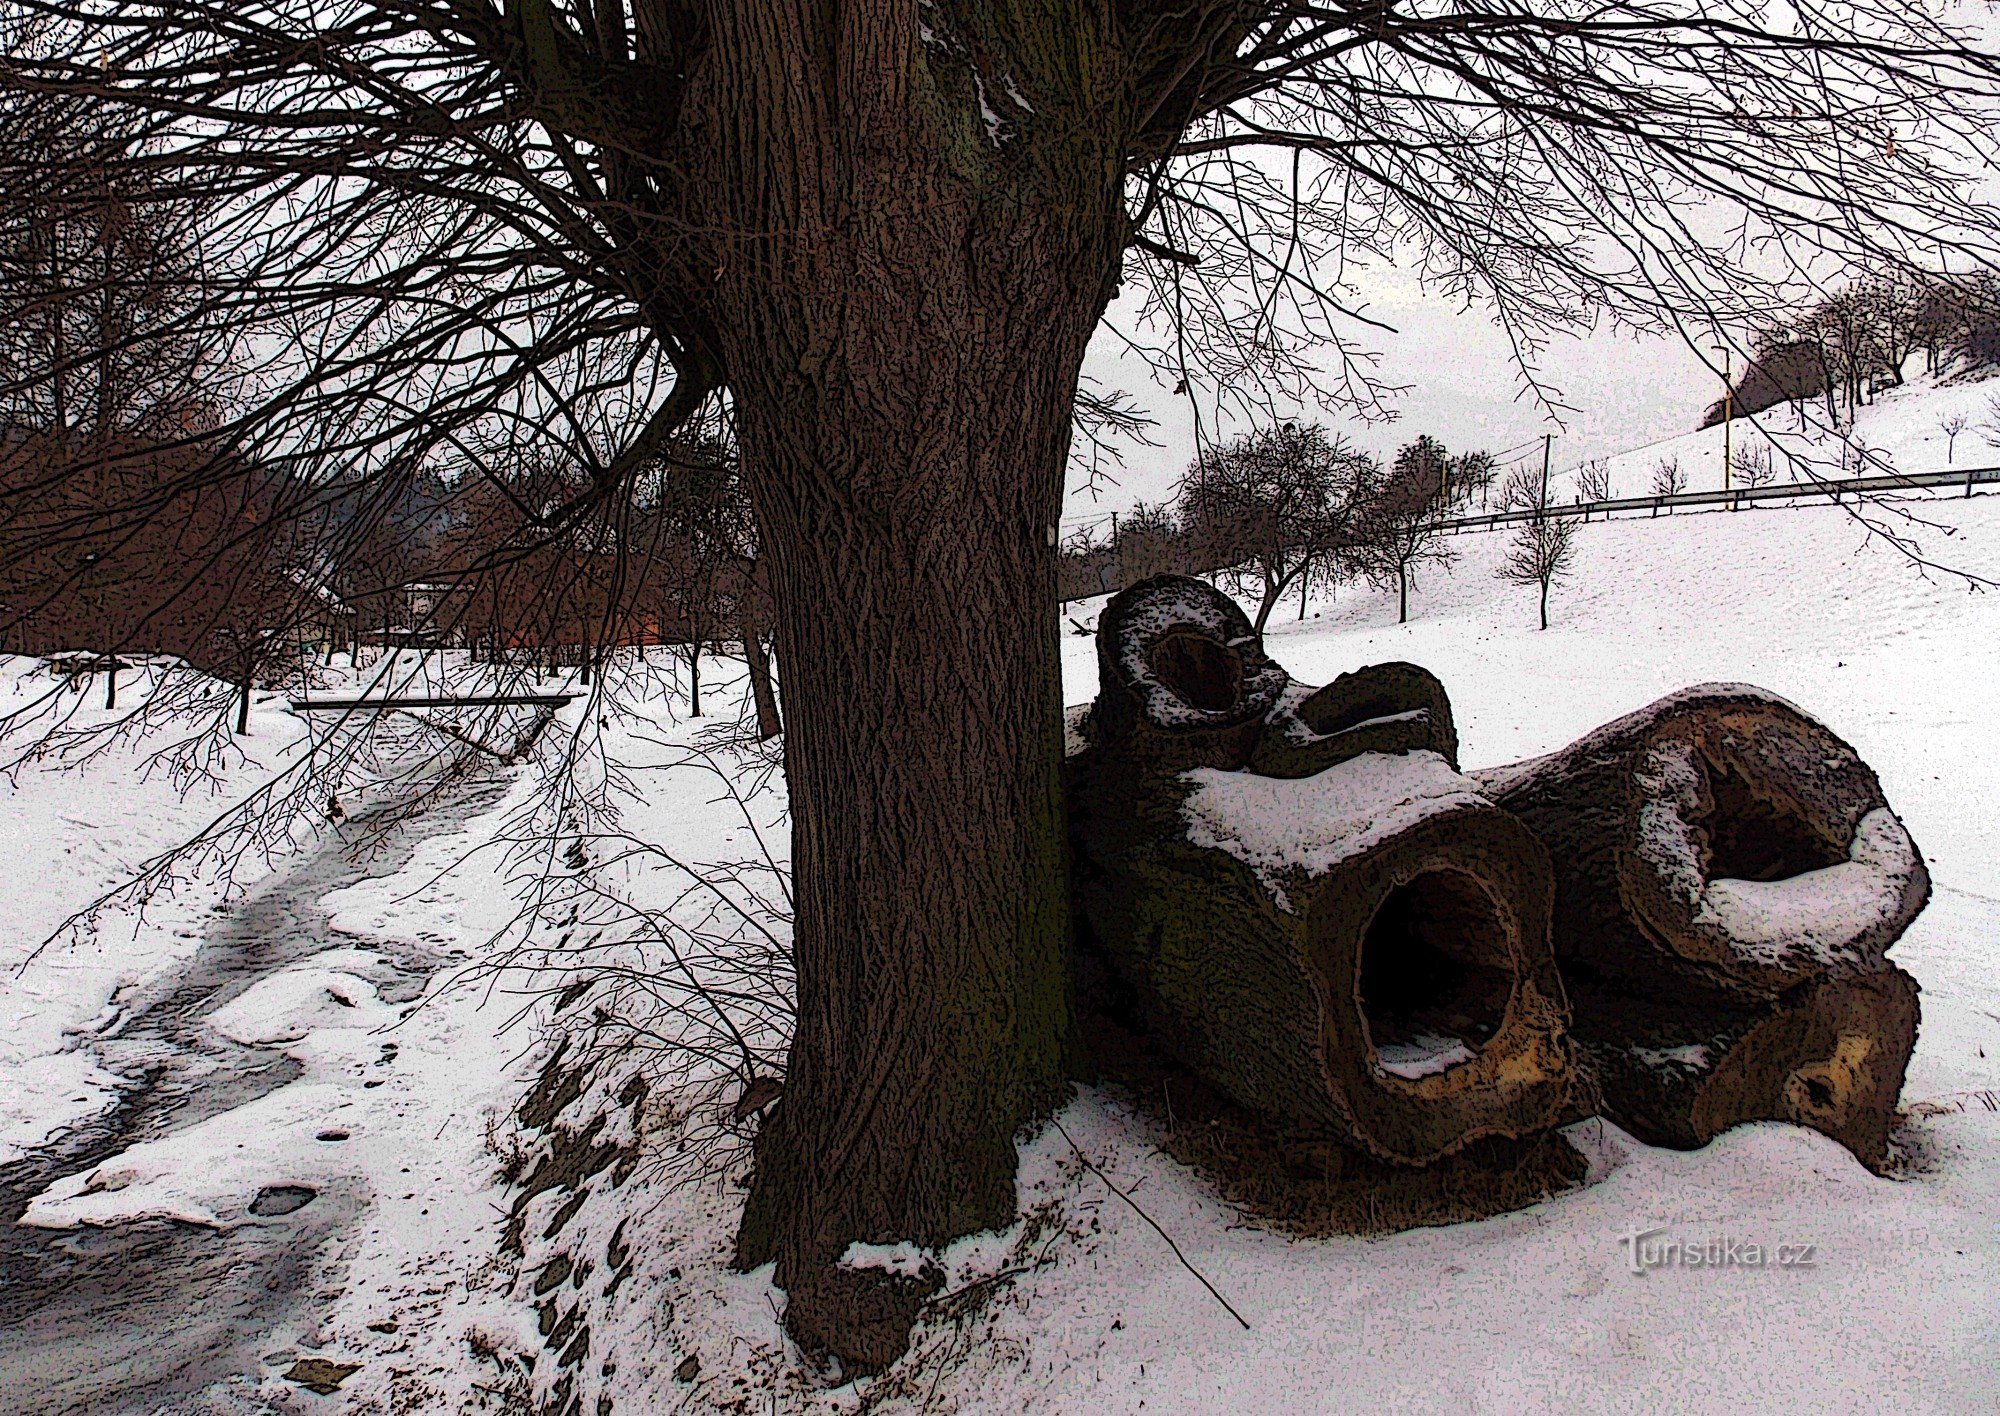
column 901, row 303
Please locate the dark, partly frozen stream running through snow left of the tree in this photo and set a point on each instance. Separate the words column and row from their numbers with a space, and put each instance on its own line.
column 127, row 1315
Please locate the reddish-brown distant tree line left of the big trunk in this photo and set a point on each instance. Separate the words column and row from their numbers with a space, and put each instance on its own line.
column 133, row 523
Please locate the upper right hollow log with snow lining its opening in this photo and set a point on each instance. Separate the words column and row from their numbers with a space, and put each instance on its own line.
column 1723, row 831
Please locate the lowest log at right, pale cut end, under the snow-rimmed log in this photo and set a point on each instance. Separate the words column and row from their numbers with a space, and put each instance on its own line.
column 1677, row 1071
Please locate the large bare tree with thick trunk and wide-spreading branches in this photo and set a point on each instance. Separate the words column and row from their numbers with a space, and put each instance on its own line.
column 881, row 237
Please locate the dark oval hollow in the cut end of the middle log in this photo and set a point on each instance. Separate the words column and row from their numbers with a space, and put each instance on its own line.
column 1435, row 973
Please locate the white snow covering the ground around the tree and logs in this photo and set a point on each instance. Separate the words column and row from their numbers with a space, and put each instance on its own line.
column 1535, row 1311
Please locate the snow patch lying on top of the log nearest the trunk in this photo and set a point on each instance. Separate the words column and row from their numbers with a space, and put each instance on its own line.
column 1311, row 825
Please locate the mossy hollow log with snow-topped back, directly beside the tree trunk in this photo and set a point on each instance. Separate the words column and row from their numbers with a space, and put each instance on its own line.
column 1359, row 953
